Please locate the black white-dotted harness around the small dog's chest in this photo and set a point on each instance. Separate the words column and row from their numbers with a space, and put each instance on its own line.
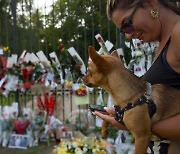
column 119, row 112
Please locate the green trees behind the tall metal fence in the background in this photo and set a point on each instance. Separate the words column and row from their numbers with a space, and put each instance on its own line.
column 75, row 23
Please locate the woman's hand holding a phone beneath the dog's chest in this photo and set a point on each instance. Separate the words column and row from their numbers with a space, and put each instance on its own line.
column 110, row 118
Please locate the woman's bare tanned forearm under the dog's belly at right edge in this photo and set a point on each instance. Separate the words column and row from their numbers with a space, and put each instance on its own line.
column 168, row 128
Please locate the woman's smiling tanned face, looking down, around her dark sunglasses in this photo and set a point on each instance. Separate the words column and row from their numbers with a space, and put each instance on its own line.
column 146, row 28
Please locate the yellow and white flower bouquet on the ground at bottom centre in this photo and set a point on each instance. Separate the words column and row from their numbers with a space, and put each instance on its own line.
column 86, row 145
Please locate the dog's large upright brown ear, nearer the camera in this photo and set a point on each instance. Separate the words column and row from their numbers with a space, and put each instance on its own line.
column 97, row 59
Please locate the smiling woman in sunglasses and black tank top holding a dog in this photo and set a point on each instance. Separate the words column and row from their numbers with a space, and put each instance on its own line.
column 149, row 21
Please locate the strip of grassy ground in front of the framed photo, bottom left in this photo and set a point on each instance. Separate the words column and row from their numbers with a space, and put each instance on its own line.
column 42, row 148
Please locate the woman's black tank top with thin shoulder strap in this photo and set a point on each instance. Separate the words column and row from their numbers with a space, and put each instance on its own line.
column 161, row 71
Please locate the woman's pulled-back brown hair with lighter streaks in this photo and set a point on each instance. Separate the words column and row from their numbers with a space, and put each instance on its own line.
column 112, row 5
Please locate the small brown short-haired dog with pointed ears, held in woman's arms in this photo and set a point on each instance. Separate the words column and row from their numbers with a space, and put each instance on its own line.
column 108, row 72
